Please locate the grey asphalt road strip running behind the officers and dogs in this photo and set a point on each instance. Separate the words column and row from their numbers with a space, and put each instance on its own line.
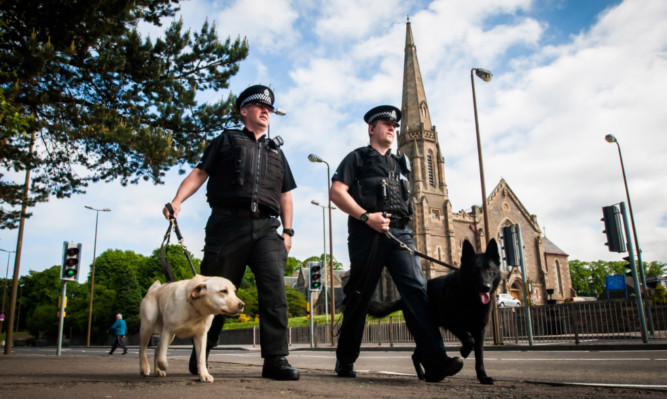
column 622, row 368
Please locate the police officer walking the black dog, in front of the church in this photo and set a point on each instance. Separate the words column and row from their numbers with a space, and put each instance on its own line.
column 368, row 186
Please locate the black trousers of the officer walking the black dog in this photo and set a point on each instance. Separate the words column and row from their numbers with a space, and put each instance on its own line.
column 367, row 259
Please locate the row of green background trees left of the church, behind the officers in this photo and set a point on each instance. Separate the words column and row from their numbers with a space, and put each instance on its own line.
column 121, row 280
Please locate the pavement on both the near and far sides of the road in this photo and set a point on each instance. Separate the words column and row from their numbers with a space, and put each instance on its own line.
column 29, row 374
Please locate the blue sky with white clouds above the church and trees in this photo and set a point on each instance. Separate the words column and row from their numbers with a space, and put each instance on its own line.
column 566, row 73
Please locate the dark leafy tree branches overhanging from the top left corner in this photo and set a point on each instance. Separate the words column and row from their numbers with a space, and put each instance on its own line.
column 100, row 102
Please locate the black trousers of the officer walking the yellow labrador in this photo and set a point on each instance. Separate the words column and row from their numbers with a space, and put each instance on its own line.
column 234, row 241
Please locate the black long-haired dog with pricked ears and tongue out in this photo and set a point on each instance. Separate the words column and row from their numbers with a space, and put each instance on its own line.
column 461, row 302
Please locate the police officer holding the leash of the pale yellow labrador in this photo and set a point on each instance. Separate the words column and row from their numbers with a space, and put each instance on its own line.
column 249, row 184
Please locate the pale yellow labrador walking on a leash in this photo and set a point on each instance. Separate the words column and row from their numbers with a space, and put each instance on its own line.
column 184, row 309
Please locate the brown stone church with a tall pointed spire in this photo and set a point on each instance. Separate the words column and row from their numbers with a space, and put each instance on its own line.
column 439, row 231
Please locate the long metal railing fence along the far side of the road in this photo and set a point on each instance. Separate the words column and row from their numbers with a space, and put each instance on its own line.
column 577, row 322
